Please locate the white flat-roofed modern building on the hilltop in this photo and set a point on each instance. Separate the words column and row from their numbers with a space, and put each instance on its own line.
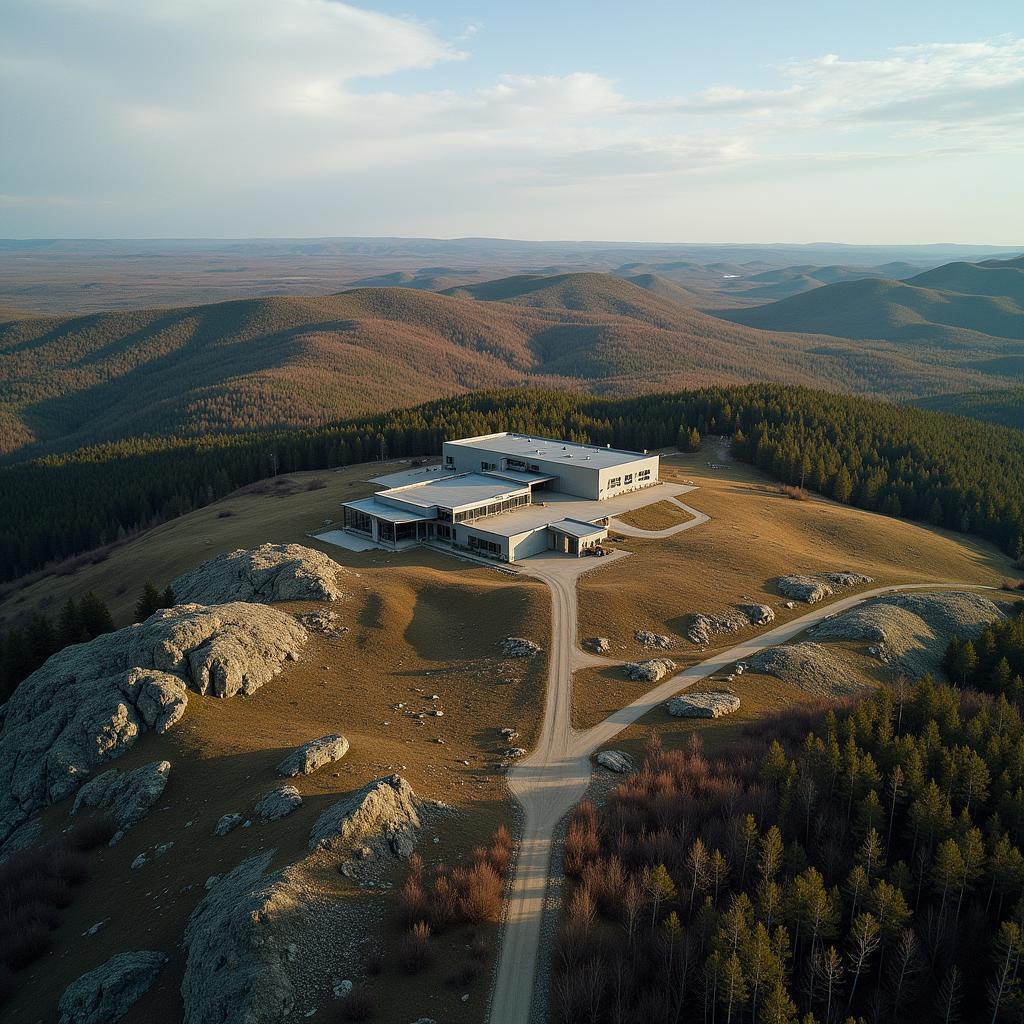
column 506, row 497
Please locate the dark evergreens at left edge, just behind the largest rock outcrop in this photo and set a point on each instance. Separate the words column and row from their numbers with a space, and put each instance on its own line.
column 25, row 648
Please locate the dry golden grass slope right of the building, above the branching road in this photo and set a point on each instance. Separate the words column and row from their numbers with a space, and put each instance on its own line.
column 756, row 535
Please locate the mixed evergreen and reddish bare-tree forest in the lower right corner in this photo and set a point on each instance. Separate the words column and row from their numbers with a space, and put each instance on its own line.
column 869, row 869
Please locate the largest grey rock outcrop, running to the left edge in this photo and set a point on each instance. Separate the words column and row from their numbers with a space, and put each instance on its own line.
column 90, row 703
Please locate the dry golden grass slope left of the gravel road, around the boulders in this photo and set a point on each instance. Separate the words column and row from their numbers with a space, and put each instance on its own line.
column 418, row 624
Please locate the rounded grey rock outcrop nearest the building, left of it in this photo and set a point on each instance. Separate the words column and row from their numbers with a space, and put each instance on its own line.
column 265, row 575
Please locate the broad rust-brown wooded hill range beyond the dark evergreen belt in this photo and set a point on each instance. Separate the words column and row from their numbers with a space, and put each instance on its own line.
column 302, row 361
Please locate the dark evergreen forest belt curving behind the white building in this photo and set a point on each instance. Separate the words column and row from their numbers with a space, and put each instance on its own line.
column 902, row 461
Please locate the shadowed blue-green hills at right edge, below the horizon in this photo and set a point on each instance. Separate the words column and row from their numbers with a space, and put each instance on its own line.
column 959, row 305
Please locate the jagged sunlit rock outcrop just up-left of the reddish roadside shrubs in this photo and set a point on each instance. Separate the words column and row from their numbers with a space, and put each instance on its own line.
column 385, row 814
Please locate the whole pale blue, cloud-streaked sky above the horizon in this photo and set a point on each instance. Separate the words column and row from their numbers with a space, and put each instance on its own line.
column 900, row 122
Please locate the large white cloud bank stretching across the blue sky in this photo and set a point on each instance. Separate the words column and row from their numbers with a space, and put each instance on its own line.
column 191, row 107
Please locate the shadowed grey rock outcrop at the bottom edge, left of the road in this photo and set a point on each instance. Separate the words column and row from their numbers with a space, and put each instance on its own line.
column 243, row 945
